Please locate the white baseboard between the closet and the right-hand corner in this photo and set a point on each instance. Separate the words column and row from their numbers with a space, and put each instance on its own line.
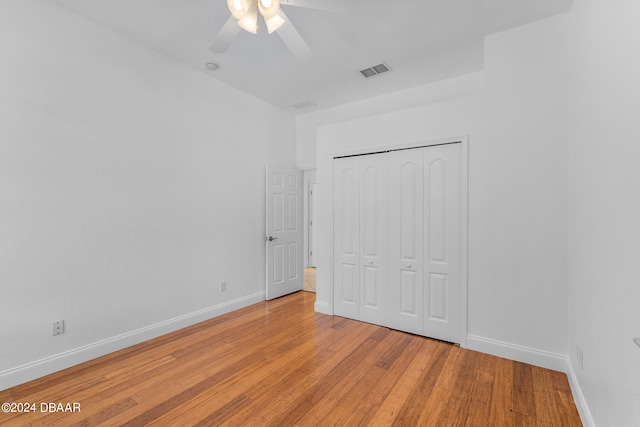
column 531, row 356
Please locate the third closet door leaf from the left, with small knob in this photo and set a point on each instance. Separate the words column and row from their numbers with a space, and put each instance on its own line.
column 405, row 206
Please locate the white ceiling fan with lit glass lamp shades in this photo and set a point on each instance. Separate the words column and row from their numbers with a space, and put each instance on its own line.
column 244, row 16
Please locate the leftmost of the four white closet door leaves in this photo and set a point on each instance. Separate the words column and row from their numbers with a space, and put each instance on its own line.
column 346, row 237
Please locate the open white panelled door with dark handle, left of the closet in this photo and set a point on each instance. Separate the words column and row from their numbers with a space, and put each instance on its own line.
column 284, row 232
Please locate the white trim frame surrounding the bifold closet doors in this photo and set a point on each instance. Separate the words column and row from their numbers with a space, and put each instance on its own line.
column 464, row 221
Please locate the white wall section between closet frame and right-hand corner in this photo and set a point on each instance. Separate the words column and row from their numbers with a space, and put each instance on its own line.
column 518, row 194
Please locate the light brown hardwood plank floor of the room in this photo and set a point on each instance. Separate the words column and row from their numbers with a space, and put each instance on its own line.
column 278, row 363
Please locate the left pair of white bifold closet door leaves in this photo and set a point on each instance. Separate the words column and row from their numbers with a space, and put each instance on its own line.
column 360, row 237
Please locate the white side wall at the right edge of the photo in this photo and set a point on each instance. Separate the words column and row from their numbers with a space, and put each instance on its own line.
column 604, row 207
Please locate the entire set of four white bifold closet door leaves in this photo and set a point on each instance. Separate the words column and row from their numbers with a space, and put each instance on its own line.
column 397, row 239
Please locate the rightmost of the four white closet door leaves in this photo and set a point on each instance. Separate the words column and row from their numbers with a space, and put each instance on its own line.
column 442, row 204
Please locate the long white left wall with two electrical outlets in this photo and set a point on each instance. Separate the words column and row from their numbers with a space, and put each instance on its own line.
column 130, row 187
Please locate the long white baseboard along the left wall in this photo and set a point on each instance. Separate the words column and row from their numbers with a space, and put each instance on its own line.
column 30, row 371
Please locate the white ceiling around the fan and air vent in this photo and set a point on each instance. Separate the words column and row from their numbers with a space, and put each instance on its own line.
column 421, row 40
